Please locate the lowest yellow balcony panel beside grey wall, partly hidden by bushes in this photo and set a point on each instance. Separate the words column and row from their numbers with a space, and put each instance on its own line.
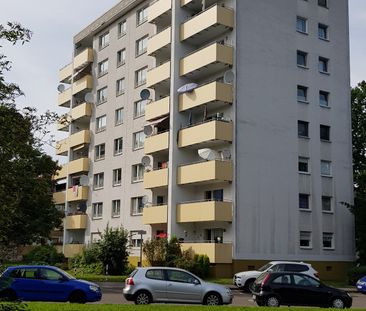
column 217, row 252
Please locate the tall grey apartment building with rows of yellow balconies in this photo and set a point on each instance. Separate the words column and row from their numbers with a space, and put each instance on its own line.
column 224, row 123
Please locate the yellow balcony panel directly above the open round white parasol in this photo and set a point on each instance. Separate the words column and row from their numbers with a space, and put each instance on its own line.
column 206, row 134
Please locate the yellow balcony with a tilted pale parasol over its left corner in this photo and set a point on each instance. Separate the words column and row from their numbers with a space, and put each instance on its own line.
column 214, row 94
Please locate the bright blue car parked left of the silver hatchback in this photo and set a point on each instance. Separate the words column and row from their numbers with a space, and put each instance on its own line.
column 46, row 283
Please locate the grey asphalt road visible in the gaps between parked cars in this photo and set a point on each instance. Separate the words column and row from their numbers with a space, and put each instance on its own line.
column 112, row 294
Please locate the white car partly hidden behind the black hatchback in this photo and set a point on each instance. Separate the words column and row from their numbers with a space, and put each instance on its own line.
column 246, row 279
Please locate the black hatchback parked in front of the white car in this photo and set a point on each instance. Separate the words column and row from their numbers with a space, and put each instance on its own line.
column 287, row 288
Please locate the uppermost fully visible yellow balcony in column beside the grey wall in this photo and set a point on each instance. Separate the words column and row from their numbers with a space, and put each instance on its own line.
column 207, row 25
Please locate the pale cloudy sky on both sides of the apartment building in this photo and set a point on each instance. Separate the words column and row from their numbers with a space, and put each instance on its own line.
column 54, row 23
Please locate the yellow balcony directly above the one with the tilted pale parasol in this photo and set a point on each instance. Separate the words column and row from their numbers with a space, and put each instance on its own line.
column 207, row 61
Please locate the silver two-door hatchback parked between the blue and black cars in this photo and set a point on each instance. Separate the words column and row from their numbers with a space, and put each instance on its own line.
column 163, row 284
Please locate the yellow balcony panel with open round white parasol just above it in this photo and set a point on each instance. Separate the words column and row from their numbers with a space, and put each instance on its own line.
column 205, row 172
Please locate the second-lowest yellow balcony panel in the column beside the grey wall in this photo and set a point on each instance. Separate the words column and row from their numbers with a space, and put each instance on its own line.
column 204, row 211
